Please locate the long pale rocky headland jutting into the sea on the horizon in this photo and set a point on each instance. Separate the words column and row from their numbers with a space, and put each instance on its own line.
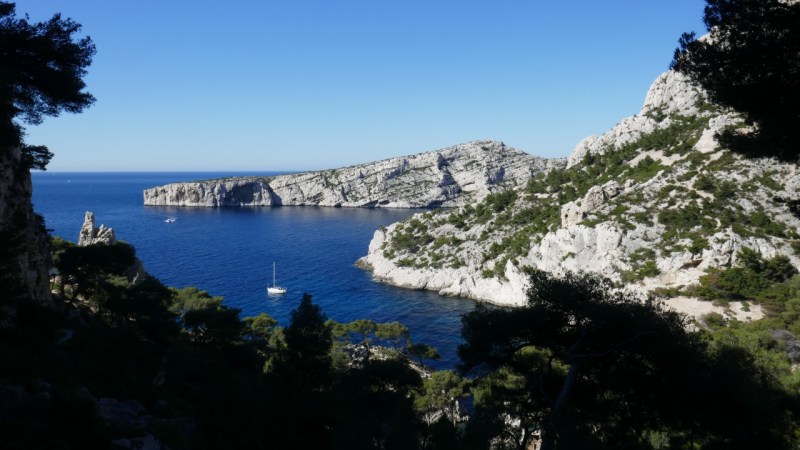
column 449, row 177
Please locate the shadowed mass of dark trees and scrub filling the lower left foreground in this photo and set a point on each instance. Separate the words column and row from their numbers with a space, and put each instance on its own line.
column 186, row 369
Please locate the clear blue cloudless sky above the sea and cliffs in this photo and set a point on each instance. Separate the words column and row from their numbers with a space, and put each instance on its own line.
column 296, row 84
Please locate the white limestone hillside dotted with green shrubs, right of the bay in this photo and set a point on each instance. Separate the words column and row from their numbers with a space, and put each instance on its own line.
column 652, row 203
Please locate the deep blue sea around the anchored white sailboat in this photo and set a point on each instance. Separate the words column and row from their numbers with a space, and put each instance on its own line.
column 229, row 251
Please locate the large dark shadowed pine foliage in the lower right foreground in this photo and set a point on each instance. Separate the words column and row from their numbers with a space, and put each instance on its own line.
column 578, row 357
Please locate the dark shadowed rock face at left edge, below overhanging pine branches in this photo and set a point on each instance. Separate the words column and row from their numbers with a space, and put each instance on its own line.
column 24, row 250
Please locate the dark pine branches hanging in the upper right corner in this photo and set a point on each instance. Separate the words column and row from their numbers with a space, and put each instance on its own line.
column 751, row 63
